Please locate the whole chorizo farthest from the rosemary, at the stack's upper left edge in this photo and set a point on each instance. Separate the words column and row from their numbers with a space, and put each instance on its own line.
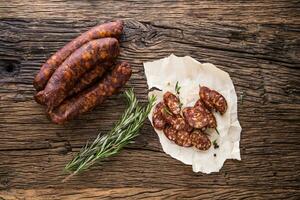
column 111, row 29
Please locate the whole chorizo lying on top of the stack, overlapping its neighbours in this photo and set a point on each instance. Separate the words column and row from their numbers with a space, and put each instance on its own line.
column 77, row 64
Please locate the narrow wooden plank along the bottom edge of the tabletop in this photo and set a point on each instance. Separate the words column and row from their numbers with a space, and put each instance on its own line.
column 151, row 193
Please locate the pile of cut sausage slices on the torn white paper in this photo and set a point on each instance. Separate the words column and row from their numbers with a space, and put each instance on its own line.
column 186, row 126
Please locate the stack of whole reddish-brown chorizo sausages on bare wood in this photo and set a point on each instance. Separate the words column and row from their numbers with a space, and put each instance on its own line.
column 82, row 74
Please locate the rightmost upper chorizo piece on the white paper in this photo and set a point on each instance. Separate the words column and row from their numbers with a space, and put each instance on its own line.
column 213, row 100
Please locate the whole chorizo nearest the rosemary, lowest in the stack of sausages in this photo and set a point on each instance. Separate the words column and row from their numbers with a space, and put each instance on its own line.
column 93, row 96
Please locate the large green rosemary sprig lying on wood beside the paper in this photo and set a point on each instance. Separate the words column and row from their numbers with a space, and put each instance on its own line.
column 126, row 129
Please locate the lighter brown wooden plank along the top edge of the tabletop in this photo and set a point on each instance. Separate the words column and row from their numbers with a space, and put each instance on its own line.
column 276, row 11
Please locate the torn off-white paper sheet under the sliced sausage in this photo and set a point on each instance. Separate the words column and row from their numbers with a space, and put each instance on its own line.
column 190, row 73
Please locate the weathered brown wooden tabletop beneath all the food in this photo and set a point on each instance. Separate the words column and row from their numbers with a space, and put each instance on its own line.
column 258, row 44
